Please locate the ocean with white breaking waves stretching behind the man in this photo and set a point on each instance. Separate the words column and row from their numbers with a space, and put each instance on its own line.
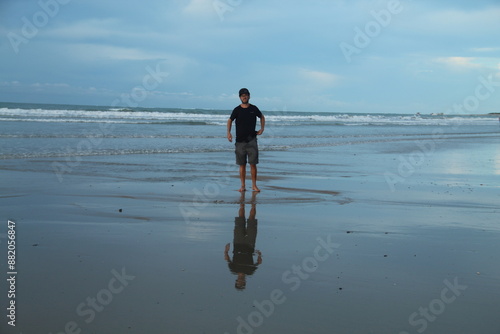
column 51, row 130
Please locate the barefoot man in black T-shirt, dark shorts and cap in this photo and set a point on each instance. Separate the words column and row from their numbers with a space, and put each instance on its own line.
column 246, row 137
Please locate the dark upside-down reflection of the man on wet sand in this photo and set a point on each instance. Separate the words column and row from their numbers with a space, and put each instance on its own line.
column 245, row 235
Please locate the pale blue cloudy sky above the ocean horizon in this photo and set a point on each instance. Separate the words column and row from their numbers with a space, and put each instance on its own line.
column 393, row 56
